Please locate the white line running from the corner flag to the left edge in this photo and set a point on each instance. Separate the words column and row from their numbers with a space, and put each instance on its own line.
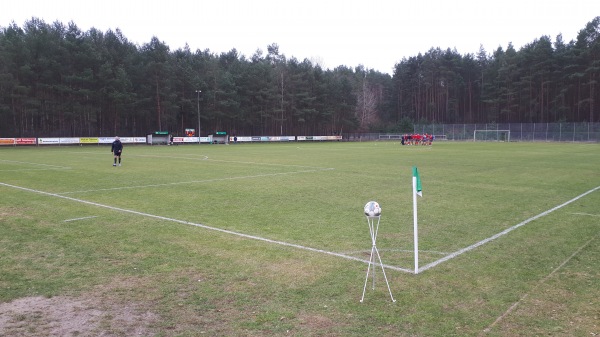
column 253, row 237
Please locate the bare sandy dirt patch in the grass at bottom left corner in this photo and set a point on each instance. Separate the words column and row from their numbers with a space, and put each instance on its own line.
column 65, row 316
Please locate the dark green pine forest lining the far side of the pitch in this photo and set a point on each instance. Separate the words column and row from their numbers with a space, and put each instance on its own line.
column 59, row 81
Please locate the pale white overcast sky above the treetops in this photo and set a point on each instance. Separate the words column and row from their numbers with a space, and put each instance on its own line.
column 376, row 34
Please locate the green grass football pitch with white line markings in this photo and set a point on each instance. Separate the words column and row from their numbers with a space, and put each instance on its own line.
column 271, row 239
